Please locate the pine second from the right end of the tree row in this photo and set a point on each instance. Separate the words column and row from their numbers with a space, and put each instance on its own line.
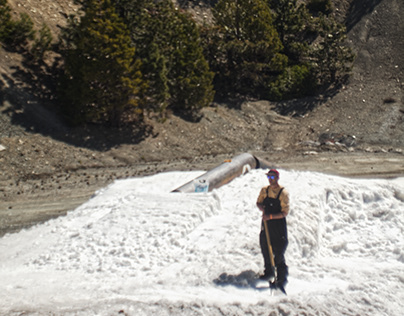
column 247, row 52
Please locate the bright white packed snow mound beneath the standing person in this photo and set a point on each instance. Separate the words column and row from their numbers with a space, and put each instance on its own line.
column 135, row 248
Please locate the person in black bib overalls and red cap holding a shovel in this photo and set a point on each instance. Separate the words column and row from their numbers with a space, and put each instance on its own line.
column 273, row 201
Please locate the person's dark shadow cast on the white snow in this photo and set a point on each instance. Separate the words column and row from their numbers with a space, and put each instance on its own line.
column 246, row 279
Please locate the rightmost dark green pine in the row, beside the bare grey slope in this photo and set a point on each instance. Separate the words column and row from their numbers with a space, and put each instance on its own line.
column 314, row 46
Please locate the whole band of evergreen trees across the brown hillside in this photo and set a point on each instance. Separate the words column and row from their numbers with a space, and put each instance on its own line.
column 124, row 59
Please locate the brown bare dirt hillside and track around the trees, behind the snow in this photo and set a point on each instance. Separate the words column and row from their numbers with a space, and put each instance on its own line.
column 48, row 168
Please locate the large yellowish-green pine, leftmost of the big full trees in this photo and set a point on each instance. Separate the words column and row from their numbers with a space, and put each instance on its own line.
column 102, row 78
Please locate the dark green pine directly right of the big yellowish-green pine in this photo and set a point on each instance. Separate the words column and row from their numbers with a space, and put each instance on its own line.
column 168, row 43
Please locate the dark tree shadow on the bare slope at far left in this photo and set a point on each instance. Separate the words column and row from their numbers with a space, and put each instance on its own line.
column 32, row 104
